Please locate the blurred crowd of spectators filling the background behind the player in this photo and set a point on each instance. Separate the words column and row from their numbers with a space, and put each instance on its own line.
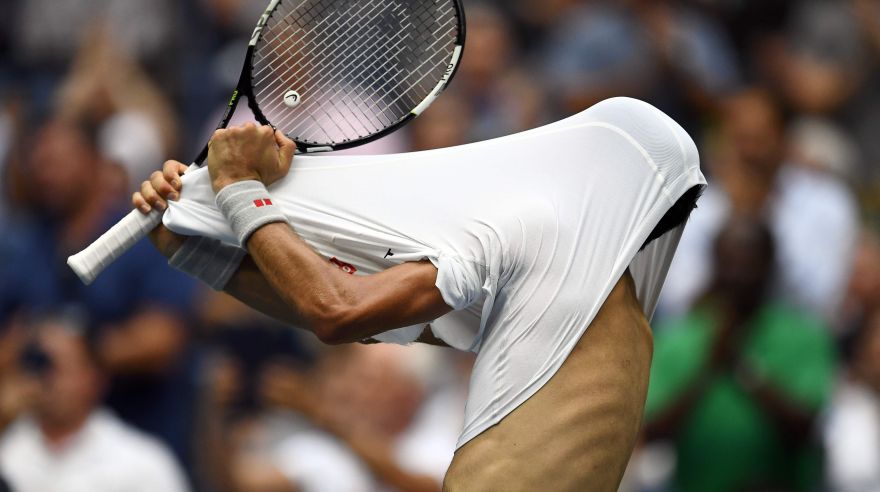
column 766, row 374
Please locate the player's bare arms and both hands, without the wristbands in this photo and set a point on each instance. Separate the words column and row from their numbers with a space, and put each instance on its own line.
column 284, row 277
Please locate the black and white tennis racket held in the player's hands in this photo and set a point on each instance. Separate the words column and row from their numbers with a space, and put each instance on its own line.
column 330, row 74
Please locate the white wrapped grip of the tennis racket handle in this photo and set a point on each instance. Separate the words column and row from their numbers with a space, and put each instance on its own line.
column 90, row 262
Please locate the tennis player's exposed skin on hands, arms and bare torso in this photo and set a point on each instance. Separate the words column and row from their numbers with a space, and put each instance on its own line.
column 591, row 409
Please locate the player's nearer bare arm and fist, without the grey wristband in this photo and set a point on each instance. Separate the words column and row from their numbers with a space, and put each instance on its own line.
column 336, row 306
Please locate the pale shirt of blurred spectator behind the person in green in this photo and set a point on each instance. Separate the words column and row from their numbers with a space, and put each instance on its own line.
column 815, row 223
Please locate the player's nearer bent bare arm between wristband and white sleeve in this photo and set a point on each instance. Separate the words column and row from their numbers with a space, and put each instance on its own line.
column 337, row 307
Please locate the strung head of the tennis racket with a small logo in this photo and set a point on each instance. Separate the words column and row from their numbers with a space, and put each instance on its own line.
column 358, row 66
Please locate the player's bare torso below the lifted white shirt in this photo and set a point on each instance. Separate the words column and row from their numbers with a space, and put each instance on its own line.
column 578, row 431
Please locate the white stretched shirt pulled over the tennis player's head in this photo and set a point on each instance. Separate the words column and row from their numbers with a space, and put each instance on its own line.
column 529, row 232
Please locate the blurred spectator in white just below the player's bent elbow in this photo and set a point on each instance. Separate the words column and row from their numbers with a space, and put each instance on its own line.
column 372, row 403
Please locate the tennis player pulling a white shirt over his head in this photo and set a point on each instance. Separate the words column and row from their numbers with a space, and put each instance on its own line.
column 488, row 247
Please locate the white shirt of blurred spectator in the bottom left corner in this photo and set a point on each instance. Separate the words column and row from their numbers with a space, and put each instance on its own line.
column 104, row 456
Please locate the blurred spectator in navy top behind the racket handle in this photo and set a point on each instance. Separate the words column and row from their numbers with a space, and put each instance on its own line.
column 142, row 331
